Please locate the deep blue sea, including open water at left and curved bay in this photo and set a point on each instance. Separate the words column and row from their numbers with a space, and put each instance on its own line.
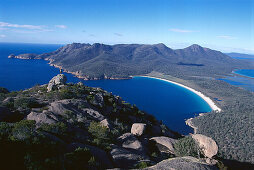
column 167, row 102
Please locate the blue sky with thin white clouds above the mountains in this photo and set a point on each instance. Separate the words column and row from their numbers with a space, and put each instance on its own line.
column 226, row 25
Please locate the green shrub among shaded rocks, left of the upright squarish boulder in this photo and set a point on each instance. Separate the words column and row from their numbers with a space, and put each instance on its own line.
column 100, row 134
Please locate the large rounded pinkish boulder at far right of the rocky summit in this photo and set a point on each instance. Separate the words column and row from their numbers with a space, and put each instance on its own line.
column 206, row 144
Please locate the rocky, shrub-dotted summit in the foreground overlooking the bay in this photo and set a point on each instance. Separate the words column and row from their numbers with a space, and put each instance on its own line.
column 72, row 126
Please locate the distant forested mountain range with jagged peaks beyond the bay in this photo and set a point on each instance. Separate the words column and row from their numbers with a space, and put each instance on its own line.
column 100, row 61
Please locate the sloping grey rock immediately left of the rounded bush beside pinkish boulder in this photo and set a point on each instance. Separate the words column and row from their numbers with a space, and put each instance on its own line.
column 165, row 144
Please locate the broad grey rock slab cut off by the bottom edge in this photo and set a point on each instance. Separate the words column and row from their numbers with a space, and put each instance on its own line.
column 182, row 163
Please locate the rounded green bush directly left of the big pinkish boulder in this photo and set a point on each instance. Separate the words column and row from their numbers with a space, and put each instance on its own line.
column 187, row 147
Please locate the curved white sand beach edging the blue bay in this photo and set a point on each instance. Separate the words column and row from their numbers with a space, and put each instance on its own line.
column 205, row 98
